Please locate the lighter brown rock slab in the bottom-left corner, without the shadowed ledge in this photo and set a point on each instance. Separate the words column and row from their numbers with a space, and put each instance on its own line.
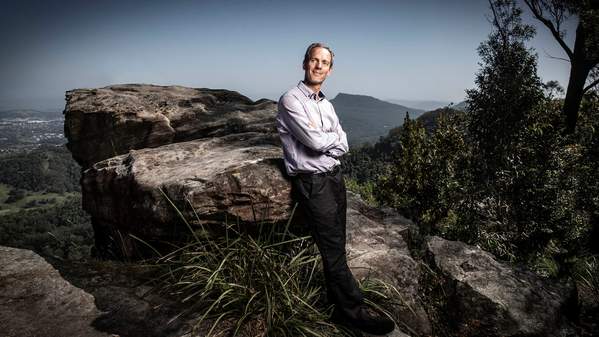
column 36, row 301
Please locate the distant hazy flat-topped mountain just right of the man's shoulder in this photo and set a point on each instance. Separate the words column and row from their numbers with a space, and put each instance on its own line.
column 365, row 118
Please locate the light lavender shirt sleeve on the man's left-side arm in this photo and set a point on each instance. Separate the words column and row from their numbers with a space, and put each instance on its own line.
column 302, row 128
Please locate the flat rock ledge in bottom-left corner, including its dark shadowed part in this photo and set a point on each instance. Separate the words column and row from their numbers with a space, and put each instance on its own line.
column 85, row 299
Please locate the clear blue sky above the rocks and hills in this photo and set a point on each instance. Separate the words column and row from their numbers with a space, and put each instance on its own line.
column 417, row 50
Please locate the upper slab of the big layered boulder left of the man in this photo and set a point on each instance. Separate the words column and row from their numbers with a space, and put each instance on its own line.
column 105, row 122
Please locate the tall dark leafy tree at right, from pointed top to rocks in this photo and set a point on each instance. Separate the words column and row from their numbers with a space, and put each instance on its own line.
column 525, row 176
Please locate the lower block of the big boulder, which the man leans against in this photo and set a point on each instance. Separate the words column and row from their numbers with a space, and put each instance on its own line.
column 233, row 178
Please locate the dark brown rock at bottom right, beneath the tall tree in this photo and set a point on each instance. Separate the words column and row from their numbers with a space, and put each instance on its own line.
column 488, row 298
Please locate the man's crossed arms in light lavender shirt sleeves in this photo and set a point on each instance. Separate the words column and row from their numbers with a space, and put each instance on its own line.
column 332, row 143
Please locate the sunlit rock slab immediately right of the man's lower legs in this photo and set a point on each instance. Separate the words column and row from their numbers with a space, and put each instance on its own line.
column 376, row 245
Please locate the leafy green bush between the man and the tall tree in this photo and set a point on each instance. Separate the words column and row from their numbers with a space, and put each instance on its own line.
column 421, row 181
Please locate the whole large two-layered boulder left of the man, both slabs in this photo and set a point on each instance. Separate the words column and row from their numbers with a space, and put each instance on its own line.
column 214, row 154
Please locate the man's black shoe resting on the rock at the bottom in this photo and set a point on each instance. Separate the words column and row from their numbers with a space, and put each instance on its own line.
column 365, row 319
